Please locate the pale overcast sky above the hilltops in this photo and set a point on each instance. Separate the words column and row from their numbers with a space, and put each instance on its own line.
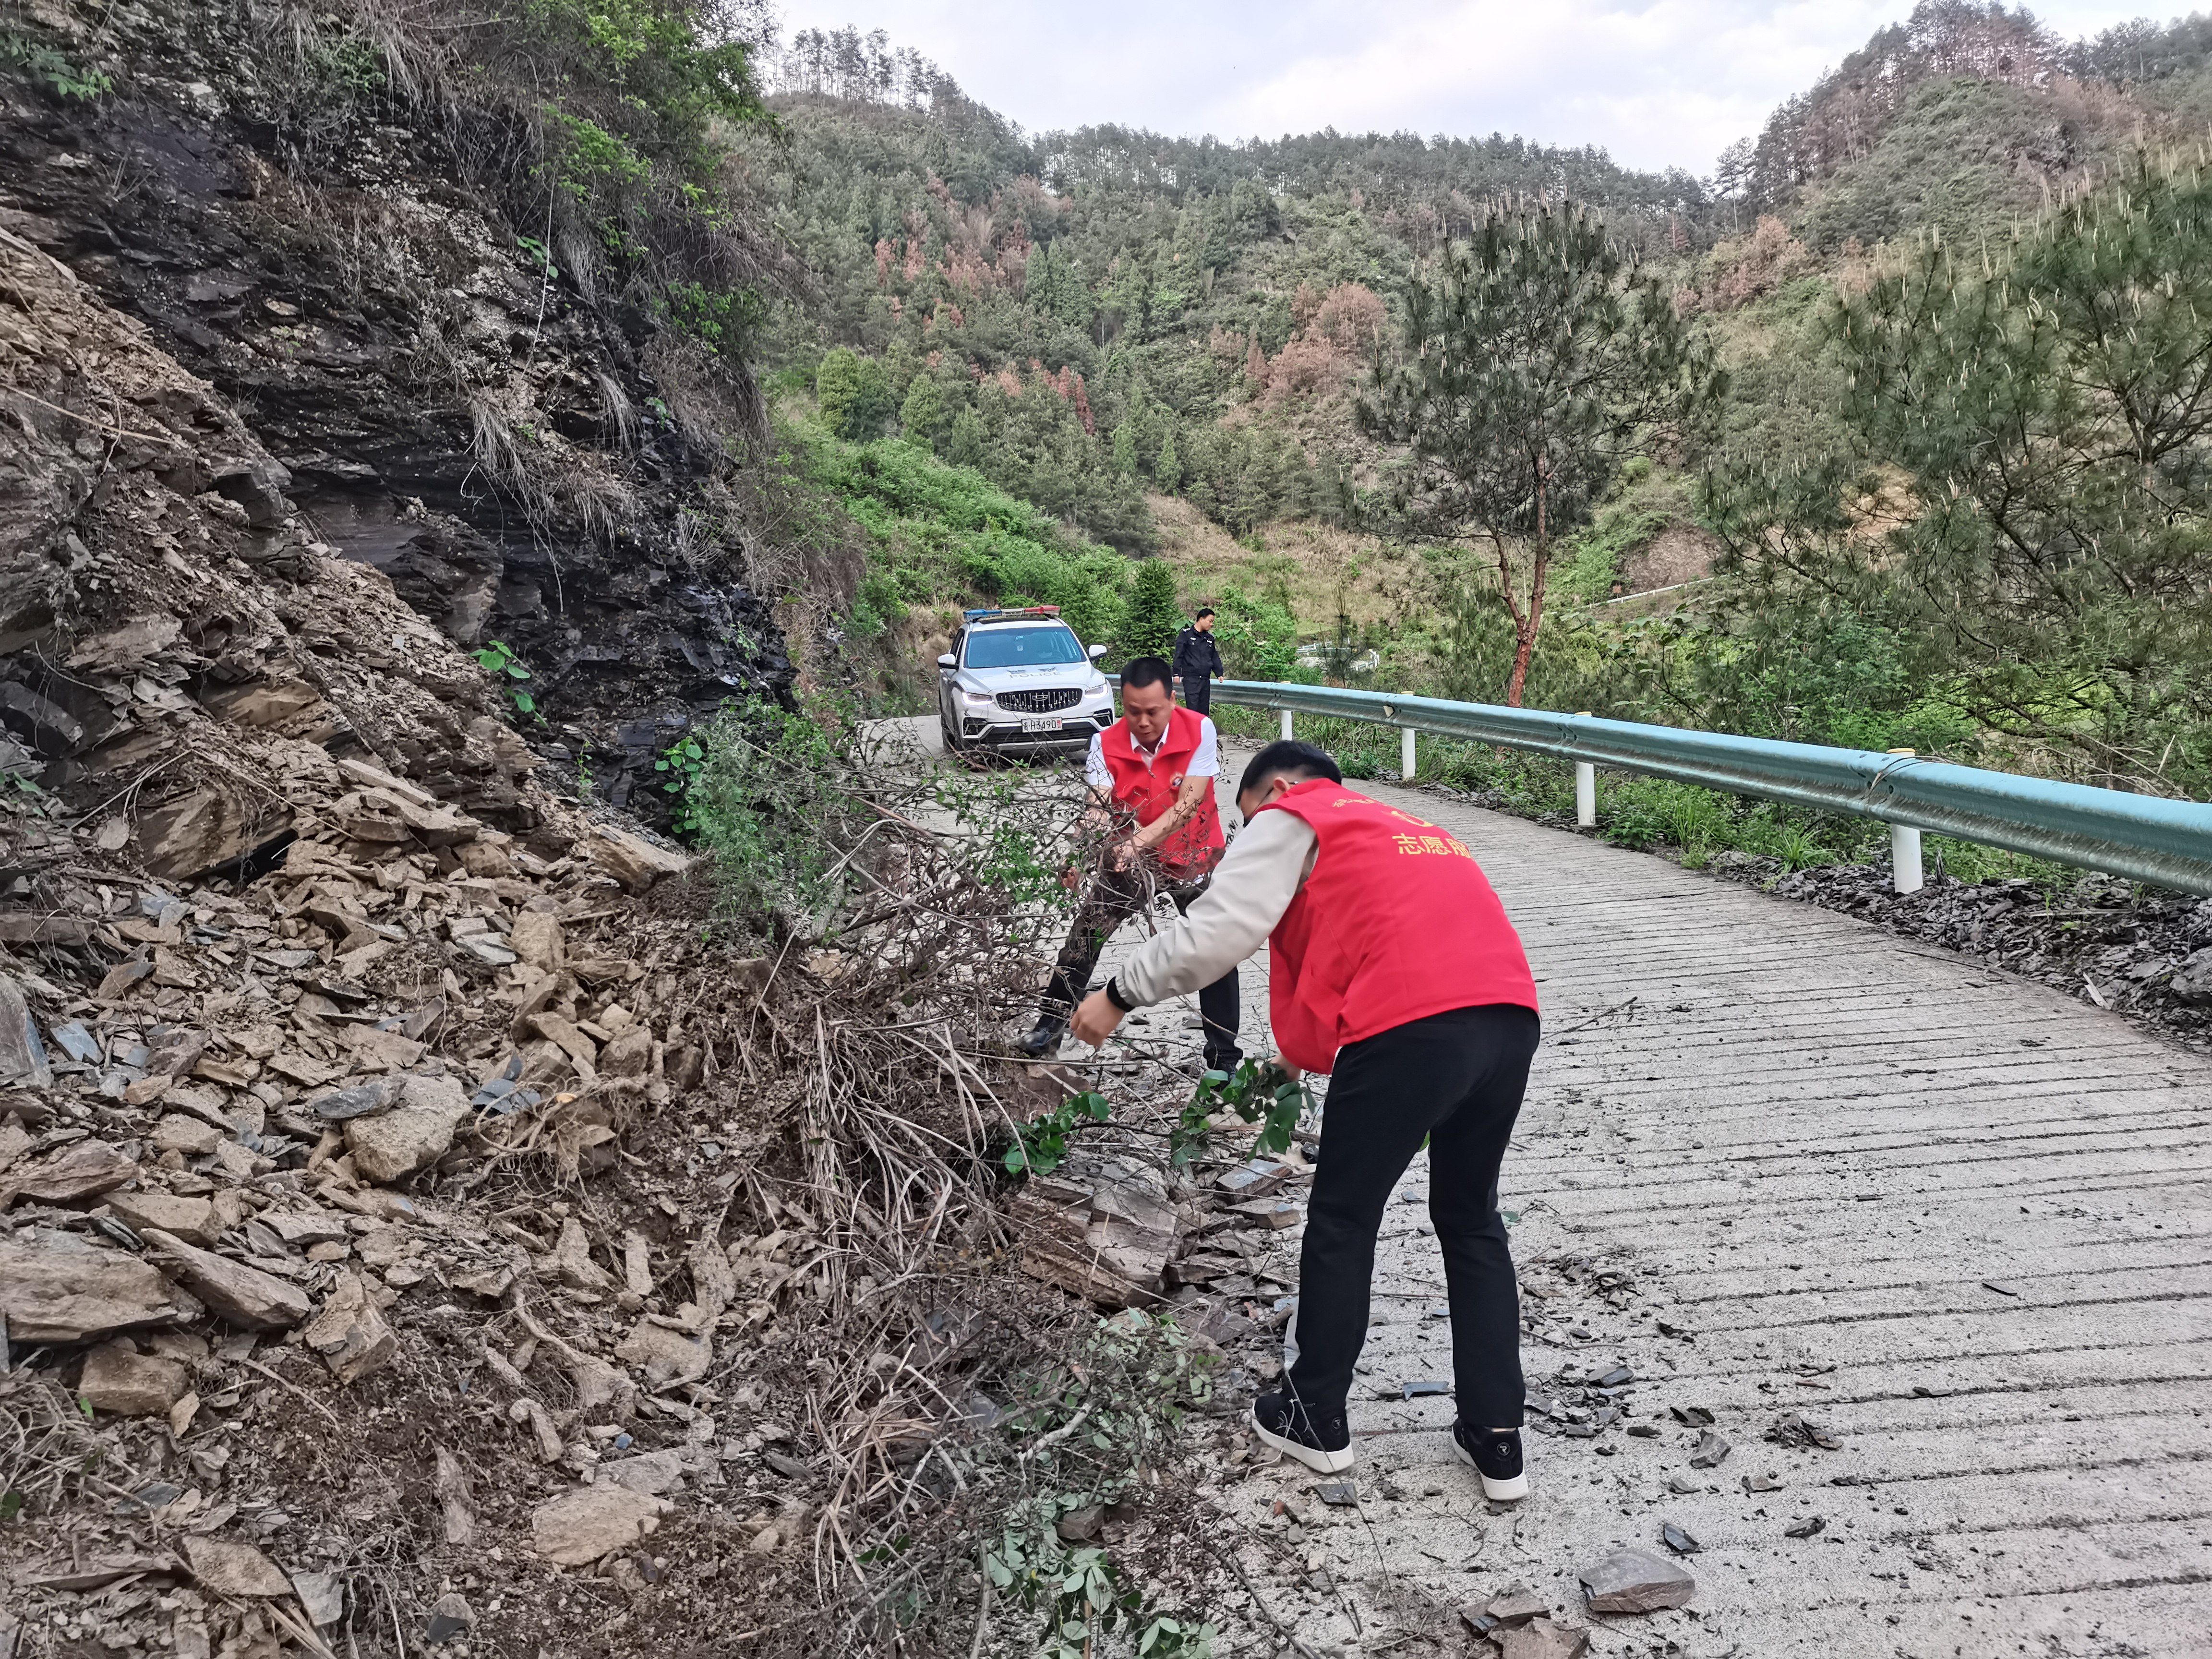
column 1658, row 83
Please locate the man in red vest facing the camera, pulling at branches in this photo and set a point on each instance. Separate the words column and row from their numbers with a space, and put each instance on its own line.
column 1151, row 778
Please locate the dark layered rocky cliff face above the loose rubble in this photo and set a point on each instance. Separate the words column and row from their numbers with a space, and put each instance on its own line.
column 393, row 377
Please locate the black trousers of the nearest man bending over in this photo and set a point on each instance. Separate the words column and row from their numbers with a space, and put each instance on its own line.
column 1457, row 1078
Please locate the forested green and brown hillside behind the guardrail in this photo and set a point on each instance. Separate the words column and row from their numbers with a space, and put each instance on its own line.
column 1105, row 320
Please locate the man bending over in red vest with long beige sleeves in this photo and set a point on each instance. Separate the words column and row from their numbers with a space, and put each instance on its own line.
column 1390, row 966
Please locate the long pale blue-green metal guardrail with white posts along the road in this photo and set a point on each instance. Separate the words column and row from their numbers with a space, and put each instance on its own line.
column 2140, row 837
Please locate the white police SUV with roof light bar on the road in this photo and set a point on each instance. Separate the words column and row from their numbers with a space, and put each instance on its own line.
column 1021, row 682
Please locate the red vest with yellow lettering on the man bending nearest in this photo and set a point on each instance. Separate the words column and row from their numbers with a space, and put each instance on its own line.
column 1395, row 924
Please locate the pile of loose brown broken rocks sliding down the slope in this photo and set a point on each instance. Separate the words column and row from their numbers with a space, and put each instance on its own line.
column 373, row 1240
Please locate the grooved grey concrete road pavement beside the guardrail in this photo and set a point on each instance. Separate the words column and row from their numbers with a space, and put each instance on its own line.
column 1780, row 1162
